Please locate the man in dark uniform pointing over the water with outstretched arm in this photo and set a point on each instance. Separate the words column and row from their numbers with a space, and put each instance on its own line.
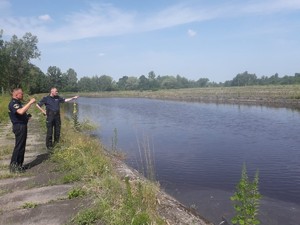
column 52, row 103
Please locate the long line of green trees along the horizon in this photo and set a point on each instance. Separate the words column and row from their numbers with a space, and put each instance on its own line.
column 16, row 70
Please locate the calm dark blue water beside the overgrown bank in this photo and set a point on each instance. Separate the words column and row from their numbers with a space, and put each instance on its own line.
column 199, row 150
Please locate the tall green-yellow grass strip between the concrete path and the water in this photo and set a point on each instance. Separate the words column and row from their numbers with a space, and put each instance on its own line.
column 116, row 201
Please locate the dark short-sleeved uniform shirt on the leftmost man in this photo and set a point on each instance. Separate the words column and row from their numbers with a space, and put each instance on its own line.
column 16, row 118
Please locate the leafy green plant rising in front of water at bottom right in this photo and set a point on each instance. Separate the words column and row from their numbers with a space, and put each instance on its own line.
column 246, row 200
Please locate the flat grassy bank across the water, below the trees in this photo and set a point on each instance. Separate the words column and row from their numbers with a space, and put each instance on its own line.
column 287, row 96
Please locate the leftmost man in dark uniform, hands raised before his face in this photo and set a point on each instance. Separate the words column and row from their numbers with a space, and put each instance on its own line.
column 19, row 118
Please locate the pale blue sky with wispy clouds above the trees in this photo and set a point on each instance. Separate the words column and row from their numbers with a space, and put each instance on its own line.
column 191, row 38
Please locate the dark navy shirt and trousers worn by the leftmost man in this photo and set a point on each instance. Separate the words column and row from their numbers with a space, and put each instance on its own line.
column 20, row 130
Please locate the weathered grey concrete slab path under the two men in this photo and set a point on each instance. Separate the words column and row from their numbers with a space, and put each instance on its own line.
column 33, row 197
